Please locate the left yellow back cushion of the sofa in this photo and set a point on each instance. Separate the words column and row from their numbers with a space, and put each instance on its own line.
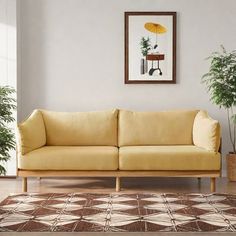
column 81, row 128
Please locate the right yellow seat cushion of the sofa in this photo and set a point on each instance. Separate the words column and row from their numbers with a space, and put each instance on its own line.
column 186, row 157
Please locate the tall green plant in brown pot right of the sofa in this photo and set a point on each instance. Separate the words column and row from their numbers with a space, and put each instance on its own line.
column 221, row 83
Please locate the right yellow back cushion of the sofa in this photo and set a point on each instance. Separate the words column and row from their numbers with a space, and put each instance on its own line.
column 156, row 128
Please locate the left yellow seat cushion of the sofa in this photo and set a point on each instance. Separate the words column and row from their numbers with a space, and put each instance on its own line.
column 70, row 158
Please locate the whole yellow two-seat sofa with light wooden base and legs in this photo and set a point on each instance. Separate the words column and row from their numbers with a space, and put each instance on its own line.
column 119, row 143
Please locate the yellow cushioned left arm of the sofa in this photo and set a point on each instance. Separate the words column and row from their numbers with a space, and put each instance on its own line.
column 31, row 133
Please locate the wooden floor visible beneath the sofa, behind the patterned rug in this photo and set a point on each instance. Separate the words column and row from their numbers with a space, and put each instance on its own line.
column 107, row 185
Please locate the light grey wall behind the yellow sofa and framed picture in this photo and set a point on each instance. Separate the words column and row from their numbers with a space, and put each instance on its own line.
column 72, row 55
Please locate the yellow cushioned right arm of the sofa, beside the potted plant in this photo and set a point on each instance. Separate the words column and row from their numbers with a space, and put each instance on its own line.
column 206, row 132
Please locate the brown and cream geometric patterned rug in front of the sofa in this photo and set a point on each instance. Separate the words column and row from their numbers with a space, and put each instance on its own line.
column 77, row 212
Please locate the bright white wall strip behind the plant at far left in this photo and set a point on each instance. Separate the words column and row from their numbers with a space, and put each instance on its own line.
column 8, row 58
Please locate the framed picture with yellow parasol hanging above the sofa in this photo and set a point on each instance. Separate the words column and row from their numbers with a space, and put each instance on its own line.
column 150, row 47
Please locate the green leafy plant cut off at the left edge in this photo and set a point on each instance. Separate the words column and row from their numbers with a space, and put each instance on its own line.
column 7, row 137
